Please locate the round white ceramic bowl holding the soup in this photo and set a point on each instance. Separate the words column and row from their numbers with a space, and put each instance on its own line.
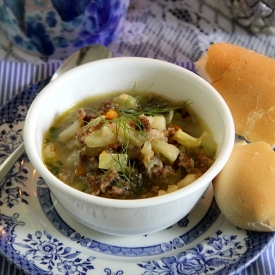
column 128, row 217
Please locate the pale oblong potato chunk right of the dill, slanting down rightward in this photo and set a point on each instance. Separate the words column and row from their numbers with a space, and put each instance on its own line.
column 169, row 151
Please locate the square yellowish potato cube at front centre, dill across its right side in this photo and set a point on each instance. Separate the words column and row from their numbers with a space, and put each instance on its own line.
column 112, row 161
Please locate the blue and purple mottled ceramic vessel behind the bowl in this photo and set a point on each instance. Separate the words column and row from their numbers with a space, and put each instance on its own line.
column 57, row 28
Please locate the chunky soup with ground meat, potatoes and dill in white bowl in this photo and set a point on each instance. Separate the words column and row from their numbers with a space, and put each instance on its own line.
column 128, row 146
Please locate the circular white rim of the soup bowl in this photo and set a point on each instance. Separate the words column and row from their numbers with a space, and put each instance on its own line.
column 203, row 181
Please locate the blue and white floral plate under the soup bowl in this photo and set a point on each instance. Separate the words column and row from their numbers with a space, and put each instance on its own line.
column 40, row 237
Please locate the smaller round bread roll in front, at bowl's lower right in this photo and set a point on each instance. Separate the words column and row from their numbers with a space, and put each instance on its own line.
column 245, row 188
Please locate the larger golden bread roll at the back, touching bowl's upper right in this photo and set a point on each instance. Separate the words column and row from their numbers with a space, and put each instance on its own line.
column 246, row 80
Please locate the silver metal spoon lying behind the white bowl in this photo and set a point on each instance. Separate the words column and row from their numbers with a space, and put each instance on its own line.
column 84, row 55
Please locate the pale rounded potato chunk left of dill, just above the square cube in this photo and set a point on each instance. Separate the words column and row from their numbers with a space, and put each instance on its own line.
column 99, row 138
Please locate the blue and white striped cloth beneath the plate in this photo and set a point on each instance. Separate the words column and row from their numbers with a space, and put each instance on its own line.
column 15, row 77
